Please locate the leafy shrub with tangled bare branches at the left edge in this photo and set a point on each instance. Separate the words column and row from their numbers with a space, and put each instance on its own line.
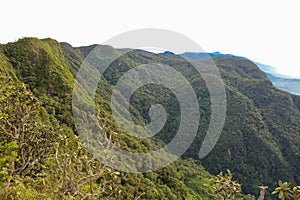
column 19, row 125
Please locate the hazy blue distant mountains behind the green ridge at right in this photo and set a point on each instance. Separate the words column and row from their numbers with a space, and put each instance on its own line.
column 280, row 81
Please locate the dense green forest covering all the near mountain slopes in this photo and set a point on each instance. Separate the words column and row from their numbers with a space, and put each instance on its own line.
column 43, row 157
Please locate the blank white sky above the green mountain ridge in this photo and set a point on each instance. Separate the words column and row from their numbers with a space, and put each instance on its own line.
column 264, row 31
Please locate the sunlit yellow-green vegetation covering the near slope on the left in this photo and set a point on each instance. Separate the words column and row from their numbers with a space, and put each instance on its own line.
column 42, row 158
